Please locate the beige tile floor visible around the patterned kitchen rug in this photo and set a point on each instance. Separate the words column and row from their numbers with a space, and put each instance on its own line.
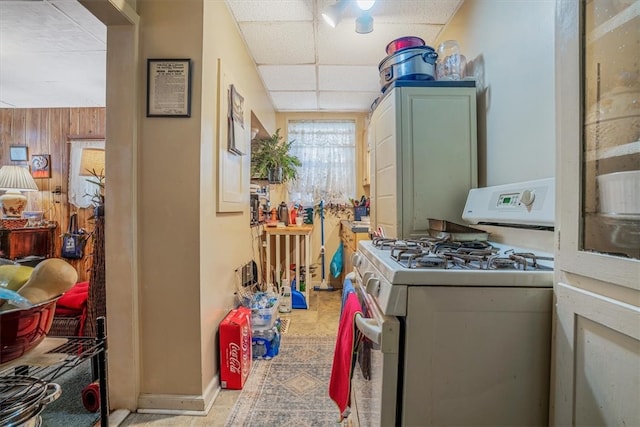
column 320, row 319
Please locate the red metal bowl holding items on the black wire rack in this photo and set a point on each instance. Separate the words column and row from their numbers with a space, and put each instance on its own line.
column 22, row 329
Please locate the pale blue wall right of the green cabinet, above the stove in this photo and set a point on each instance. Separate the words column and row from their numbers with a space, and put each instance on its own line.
column 509, row 46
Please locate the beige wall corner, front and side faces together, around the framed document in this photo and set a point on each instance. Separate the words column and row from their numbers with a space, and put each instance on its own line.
column 188, row 251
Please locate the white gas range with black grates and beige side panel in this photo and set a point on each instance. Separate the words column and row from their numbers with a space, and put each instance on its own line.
column 463, row 328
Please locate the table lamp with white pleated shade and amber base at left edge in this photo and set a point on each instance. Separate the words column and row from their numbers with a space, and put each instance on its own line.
column 14, row 180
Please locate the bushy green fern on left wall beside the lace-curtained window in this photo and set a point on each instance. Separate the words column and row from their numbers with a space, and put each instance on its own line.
column 271, row 159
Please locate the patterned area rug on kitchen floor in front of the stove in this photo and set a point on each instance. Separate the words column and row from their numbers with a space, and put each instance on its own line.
column 291, row 389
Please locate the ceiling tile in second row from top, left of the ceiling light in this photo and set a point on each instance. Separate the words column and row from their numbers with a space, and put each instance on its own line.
column 280, row 43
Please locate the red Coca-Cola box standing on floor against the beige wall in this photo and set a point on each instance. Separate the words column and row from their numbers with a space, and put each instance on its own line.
column 235, row 348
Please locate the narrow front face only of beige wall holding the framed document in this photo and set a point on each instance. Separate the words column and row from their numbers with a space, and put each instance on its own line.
column 169, row 214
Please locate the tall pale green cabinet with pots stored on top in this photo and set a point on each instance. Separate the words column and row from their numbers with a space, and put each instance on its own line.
column 424, row 156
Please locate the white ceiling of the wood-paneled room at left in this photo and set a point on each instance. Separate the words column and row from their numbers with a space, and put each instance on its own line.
column 52, row 54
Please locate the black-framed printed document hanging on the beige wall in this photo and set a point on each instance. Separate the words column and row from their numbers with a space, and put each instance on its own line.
column 168, row 88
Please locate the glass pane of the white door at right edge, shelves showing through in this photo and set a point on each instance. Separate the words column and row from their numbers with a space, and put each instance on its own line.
column 611, row 129
